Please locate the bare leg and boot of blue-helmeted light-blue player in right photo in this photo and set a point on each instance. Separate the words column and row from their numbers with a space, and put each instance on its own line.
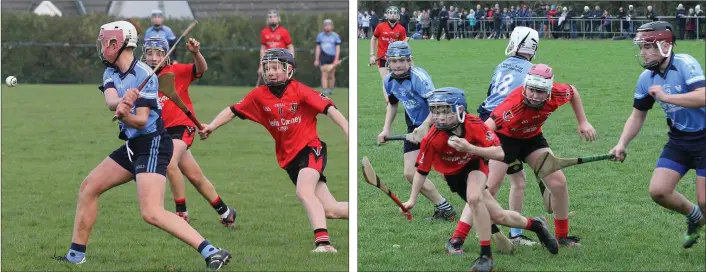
column 443, row 210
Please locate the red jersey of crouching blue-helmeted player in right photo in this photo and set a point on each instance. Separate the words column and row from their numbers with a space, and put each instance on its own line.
column 435, row 150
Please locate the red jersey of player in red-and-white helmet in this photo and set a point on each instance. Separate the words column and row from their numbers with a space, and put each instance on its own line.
column 515, row 119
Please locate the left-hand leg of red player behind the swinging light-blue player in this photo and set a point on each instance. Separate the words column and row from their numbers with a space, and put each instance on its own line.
column 176, row 180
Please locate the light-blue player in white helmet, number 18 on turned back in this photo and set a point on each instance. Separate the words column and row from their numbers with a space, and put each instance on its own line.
column 509, row 75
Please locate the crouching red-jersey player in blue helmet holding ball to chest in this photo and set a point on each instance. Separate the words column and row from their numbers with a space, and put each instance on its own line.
column 458, row 147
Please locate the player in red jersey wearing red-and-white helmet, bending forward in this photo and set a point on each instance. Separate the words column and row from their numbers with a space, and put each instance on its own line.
column 518, row 123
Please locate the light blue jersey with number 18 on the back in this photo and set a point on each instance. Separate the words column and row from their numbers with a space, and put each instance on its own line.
column 508, row 75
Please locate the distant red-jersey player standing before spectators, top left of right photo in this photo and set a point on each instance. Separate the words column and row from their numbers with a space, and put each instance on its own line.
column 385, row 34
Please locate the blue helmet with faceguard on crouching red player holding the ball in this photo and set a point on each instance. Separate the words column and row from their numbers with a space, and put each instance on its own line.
column 447, row 107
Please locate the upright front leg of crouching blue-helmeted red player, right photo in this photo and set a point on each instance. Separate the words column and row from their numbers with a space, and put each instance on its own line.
column 481, row 219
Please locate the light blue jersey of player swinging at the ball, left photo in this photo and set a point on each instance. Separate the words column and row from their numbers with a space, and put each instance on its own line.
column 138, row 71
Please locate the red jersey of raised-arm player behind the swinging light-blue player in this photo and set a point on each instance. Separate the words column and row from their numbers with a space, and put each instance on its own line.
column 172, row 115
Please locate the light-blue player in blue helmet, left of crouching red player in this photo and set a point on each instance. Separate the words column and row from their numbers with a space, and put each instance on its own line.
column 411, row 86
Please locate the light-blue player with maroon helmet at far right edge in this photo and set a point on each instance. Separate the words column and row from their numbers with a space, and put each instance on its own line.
column 676, row 82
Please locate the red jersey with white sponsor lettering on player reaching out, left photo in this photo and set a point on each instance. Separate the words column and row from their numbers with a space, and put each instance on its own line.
column 290, row 119
